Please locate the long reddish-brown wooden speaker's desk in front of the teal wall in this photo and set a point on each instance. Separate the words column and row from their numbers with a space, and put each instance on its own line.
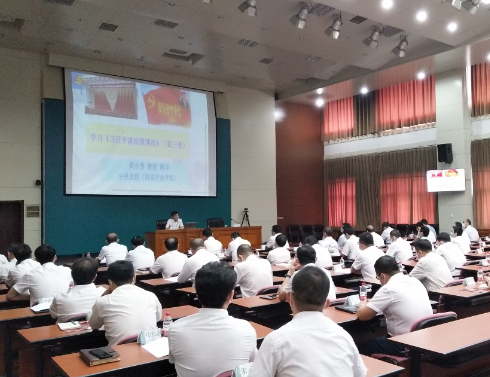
column 156, row 240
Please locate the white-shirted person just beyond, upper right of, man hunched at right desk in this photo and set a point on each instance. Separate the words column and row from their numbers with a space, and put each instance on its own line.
column 431, row 269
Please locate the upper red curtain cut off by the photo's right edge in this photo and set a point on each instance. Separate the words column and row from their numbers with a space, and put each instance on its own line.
column 480, row 89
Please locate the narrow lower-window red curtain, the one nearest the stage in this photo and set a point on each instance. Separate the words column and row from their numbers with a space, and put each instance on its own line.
column 341, row 198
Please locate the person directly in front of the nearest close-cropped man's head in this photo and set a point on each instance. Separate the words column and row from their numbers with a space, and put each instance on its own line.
column 305, row 256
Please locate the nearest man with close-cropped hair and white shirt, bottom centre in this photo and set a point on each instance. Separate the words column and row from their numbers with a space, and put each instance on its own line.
column 311, row 344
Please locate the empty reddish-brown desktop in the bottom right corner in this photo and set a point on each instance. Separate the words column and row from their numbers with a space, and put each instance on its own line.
column 449, row 337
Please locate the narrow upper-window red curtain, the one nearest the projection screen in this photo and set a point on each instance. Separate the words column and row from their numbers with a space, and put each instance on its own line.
column 338, row 119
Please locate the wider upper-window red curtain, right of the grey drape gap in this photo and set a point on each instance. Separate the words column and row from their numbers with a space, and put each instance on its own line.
column 406, row 104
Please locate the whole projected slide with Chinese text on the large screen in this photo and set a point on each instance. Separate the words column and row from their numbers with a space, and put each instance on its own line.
column 128, row 137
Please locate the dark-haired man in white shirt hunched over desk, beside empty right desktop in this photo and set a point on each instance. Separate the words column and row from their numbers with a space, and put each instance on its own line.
column 402, row 299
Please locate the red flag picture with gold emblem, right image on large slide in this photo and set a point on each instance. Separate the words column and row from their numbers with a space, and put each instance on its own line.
column 168, row 106
